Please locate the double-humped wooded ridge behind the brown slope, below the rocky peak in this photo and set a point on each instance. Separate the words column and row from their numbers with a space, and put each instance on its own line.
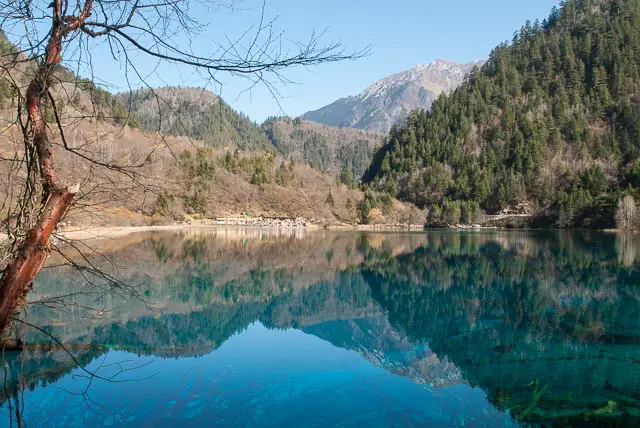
column 200, row 114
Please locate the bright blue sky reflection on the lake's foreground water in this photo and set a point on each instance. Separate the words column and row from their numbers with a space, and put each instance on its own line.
column 260, row 377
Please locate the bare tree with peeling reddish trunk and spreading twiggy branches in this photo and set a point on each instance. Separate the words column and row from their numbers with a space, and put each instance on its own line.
column 45, row 36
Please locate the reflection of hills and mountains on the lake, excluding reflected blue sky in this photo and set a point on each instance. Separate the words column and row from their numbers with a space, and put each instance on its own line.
column 547, row 324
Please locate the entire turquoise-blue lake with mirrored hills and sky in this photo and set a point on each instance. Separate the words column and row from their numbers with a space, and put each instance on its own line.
column 264, row 328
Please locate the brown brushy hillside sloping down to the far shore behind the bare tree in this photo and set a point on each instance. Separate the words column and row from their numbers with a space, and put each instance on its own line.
column 185, row 179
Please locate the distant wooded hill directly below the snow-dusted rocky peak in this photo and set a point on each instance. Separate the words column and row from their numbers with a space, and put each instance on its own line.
column 328, row 148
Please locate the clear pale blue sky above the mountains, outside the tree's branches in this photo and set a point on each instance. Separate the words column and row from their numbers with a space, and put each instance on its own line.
column 401, row 33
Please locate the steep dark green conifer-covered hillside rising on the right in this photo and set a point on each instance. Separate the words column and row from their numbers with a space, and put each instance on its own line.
column 549, row 125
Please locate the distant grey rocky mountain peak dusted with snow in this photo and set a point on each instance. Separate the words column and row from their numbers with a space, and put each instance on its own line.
column 391, row 99
